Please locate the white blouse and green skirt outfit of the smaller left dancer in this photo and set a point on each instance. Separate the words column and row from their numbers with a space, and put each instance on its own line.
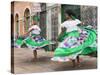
column 34, row 41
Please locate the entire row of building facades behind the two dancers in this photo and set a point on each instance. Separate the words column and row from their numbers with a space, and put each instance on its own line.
column 50, row 17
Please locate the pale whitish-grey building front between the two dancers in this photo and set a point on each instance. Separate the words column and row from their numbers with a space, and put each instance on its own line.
column 53, row 22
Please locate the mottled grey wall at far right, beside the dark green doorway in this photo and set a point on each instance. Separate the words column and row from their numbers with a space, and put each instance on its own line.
column 89, row 15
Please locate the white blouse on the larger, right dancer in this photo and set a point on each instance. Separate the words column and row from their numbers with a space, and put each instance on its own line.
column 71, row 25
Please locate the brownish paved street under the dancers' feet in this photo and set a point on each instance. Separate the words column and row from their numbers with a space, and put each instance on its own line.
column 24, row 62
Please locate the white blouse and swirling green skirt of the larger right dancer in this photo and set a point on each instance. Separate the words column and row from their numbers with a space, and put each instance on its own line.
column 74, row 41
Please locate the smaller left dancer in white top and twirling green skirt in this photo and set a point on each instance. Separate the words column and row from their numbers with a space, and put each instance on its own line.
column 33, row 40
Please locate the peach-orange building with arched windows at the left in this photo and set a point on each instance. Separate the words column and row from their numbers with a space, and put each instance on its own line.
column 21, row 16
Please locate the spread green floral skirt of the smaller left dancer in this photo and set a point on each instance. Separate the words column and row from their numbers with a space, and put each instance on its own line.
column 34, row 42
